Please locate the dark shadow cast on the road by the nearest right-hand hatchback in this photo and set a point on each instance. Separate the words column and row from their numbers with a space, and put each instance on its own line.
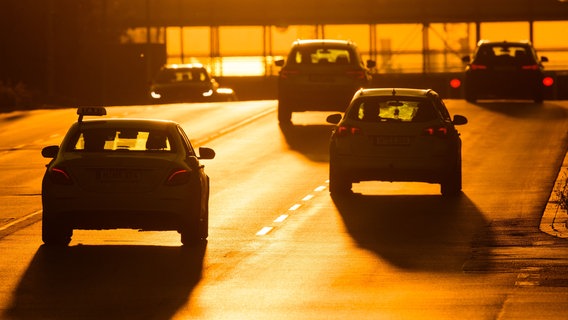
column 416, row 232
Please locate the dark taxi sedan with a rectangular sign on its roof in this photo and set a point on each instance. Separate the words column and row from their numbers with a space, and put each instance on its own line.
column 125, row 173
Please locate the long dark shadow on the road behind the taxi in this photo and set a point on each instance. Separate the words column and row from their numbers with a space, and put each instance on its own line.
column 107, row 282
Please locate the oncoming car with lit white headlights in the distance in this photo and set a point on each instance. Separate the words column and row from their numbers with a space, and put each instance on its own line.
column 187, row 83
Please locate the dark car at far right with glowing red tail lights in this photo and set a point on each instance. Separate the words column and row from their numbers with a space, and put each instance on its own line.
column 504, row 70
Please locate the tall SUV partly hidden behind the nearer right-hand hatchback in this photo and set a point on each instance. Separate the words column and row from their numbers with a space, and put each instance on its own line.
column 320, row 75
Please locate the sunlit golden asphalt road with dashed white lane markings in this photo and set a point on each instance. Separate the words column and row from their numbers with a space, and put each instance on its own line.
column 281, row 248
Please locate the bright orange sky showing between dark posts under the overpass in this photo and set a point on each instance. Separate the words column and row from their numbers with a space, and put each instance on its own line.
column 247, row 41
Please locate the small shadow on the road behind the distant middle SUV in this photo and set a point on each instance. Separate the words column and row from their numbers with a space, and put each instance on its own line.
column 310, row 140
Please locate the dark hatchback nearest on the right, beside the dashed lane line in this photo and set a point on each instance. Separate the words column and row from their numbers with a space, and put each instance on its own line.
column 395, row 135
